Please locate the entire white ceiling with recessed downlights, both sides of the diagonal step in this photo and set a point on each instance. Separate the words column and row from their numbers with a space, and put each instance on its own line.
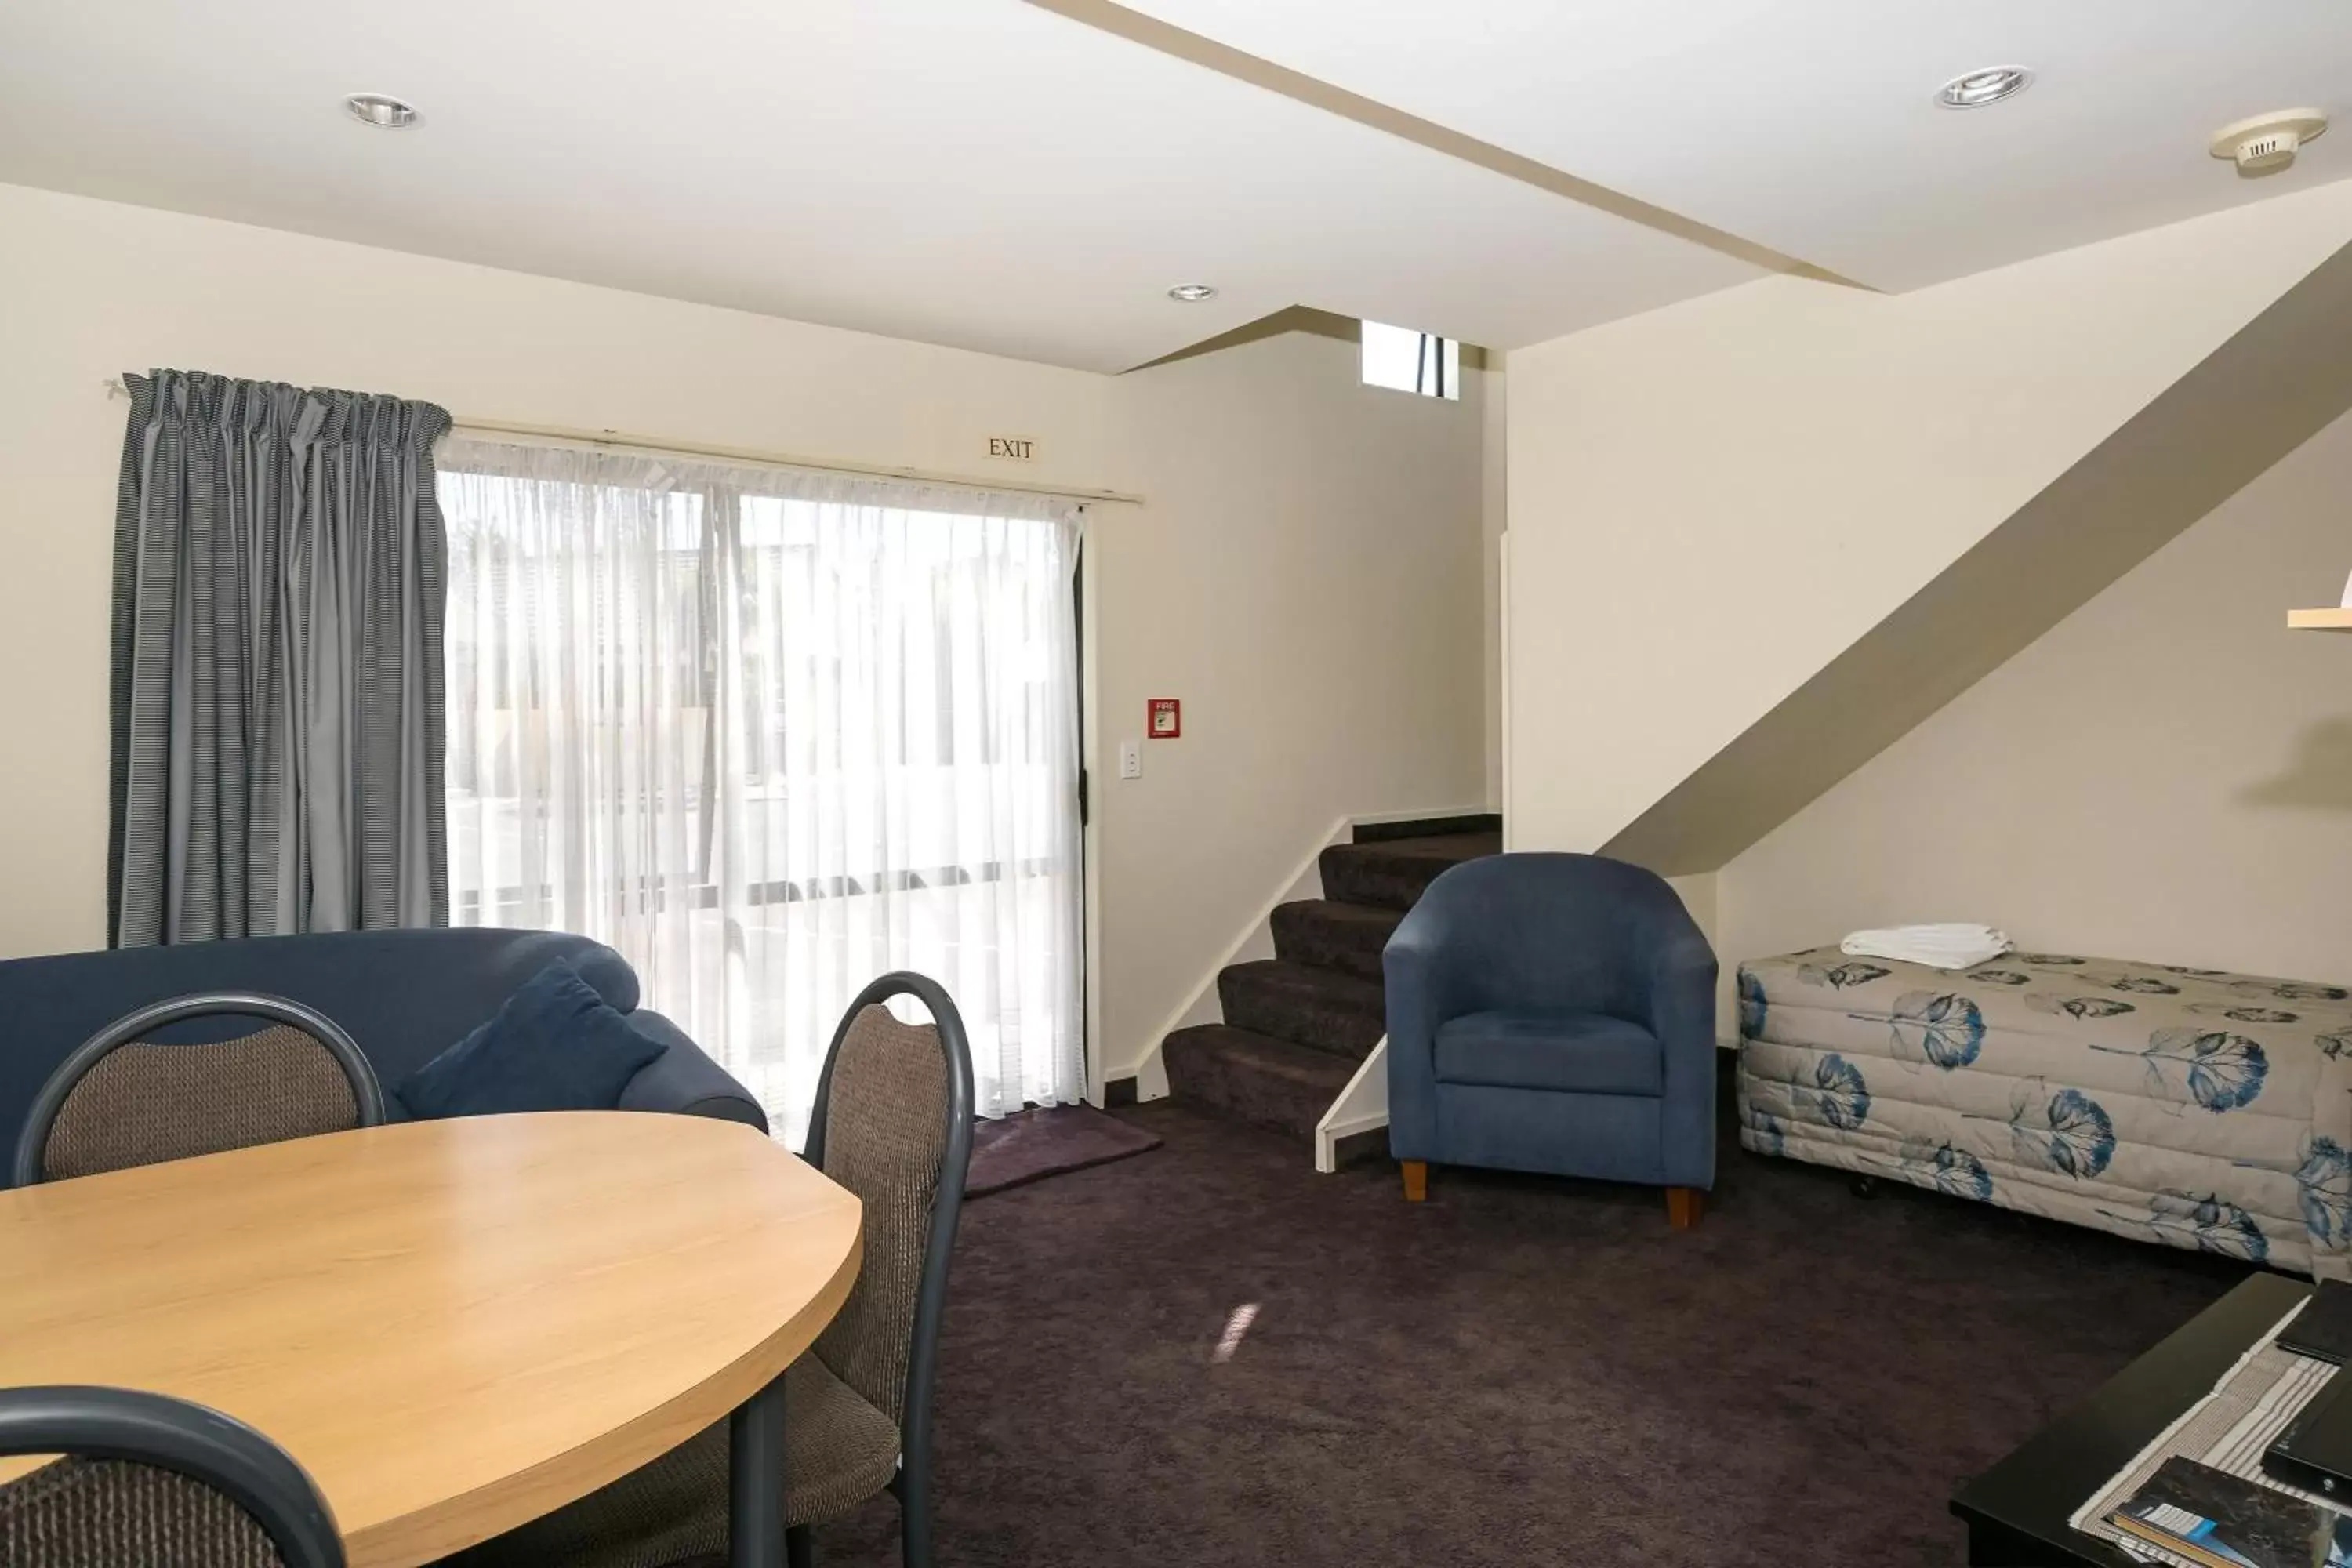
column 994, row 175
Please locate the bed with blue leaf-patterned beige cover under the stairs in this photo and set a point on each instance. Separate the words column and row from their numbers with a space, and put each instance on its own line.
column 2179, row 1106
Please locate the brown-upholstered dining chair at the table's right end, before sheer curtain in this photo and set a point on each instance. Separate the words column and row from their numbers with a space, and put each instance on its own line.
column 893, row 1125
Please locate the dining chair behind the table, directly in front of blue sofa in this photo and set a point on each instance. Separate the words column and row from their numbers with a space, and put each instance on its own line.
column 133, row 1101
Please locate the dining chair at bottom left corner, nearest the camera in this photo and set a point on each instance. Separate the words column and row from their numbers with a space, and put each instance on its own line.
column 156, row 1482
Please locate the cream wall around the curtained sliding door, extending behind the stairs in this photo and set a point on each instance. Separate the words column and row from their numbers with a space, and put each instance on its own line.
column 1304, row 577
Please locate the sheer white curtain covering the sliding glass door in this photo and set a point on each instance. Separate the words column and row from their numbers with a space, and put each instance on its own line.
column 773, row 735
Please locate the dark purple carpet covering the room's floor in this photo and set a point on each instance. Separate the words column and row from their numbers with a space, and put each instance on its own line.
column 1518, row 1372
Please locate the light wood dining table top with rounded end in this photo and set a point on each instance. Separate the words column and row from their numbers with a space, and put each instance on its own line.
column 455, row 1327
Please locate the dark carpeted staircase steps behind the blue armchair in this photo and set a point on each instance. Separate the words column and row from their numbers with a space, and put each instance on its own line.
column 1299, row 1024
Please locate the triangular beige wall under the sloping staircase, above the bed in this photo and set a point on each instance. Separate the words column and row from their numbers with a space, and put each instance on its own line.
column 2163, row 777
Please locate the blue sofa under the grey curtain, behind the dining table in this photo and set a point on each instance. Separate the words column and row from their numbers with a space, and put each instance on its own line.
column 401, row 996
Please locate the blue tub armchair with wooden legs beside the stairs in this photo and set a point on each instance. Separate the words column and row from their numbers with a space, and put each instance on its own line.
column 1553, row 1014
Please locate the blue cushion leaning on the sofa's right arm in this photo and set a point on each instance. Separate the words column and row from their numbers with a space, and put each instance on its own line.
column 556, row 1045
